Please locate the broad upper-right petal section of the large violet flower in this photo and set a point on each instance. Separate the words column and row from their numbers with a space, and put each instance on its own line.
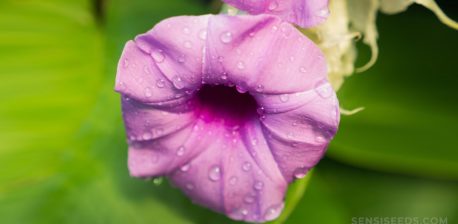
column 261, row 54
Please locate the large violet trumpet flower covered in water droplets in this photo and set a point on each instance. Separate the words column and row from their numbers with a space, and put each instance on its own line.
column 230, row 108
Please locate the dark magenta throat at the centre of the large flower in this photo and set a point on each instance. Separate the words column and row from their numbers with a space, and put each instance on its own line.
column 223, row 102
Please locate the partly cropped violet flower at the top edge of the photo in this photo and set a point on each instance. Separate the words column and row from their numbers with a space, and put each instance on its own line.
column 304, row 13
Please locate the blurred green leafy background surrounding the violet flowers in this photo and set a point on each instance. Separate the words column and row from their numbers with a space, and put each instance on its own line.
column 62, row 144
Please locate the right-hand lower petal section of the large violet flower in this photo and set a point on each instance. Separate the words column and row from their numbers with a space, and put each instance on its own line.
column 299, row 127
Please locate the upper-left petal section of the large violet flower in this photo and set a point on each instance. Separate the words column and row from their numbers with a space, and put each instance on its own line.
column 178, row 44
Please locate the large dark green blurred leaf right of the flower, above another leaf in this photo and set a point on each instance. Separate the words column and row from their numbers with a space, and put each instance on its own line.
column 409, row 125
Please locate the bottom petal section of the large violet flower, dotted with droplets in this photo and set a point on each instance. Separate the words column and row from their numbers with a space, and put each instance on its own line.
column 235, row 176
